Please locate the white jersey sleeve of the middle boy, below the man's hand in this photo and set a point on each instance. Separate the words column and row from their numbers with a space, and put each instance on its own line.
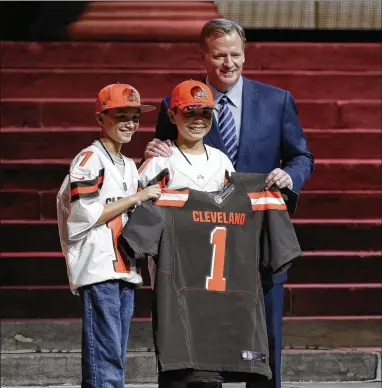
column 154, row 171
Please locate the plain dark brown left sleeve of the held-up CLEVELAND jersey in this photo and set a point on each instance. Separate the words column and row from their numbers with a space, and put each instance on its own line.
column 142, row 233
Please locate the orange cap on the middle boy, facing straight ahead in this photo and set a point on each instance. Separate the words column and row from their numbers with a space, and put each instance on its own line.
column 191, row 93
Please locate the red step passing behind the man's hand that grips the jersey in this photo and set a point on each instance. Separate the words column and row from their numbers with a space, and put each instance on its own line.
column 331, row 174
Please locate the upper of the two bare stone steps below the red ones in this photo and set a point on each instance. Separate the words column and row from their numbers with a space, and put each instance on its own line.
column 299, row 333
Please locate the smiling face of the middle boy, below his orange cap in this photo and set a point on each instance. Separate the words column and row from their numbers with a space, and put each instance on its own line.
column 193, row 124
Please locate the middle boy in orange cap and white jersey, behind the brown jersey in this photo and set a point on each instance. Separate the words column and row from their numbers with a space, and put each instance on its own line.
column 192, row 163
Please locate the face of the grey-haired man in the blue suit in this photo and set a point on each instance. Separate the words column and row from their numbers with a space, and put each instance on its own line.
column 223, row 57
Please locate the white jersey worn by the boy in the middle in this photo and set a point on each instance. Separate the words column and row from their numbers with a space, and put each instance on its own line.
column 178, row 171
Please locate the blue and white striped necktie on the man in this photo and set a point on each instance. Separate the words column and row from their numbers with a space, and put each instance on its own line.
column 227, row 129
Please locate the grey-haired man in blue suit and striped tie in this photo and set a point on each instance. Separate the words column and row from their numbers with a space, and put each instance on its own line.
column 260, row 132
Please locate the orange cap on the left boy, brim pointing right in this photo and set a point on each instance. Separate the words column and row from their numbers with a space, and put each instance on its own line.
column 120, row 96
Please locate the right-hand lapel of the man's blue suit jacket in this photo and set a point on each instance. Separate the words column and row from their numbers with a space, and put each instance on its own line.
column 248, row 117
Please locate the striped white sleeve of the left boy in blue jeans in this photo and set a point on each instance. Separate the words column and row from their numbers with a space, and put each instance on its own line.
column 86, row 178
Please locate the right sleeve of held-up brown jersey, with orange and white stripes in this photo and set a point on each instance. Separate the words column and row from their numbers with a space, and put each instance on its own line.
column 278, row 240
